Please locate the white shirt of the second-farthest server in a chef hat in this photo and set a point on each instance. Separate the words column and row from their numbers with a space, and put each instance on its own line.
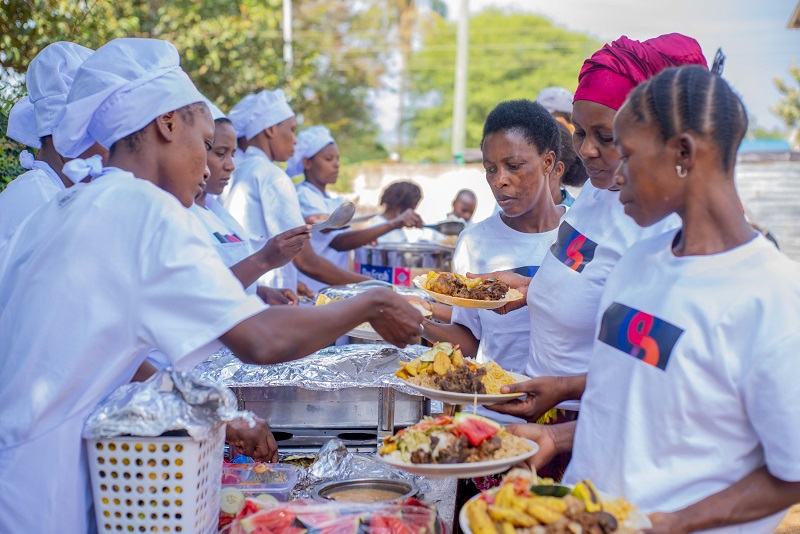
column 264, row 201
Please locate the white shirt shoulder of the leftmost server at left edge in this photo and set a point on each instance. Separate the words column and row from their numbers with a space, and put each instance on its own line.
column 24, row 195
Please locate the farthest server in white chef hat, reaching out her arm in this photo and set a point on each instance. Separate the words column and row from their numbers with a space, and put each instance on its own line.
column 316, row 156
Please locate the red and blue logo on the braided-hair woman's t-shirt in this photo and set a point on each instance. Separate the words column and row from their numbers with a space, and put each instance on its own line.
column 643, row 336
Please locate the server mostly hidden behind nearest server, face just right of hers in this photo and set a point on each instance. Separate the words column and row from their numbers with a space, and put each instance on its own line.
column 227, row 236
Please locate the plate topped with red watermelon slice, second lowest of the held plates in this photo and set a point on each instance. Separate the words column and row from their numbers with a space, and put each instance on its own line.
column 467, row 445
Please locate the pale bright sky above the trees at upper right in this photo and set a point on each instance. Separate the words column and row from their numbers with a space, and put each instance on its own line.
column 752, row 33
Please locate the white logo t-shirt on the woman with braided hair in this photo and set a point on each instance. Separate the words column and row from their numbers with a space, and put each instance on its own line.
column 693, row 381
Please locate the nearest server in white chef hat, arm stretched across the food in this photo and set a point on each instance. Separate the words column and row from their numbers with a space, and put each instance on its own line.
column 129, row 254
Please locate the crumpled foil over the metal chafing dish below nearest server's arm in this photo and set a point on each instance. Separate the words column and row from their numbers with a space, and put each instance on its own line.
column 347, row 366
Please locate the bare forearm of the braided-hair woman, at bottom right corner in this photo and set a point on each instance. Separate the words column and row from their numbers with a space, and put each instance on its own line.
column 757, row 495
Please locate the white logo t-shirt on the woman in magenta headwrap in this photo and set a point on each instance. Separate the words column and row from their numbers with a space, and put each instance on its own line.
column 565, row 293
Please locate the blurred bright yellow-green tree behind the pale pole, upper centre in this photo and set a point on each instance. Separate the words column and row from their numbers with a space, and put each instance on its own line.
column 511, row 55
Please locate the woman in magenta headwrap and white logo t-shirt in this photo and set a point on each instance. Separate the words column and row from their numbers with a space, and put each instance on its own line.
column 564, row 295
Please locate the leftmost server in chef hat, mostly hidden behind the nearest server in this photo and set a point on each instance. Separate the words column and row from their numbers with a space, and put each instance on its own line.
column 31, row 123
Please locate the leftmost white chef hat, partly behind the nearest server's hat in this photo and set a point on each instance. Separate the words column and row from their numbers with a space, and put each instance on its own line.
column 48, row 81
